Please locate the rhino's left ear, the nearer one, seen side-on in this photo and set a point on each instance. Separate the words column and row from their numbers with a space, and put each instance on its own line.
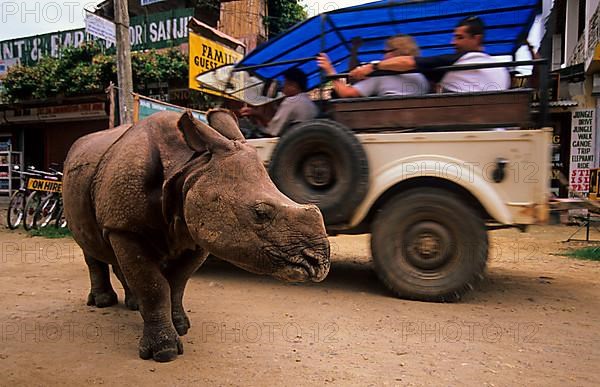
column 200, row 136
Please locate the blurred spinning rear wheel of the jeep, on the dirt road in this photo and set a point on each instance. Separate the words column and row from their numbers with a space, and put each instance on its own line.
column 428, row 245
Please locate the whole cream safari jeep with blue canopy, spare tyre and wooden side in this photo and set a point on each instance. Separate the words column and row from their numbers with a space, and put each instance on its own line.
column 426, row 176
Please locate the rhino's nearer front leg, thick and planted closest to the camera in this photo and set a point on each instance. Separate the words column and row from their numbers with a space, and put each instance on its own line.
column 142, row 272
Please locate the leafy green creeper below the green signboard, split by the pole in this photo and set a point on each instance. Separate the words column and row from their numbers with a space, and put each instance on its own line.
column 87, row 70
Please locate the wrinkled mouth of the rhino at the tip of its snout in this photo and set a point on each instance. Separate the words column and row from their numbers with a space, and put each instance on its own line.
column 309, row 264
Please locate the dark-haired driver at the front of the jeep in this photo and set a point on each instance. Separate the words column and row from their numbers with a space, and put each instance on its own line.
column 297, row 105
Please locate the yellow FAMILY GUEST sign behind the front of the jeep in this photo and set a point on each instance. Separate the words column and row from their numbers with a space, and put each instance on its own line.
column 206, row 55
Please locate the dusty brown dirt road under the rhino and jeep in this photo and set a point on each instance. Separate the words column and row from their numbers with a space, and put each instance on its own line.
column 534, row 321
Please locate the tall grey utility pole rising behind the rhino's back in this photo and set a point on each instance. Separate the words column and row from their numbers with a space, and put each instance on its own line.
column 124, row 62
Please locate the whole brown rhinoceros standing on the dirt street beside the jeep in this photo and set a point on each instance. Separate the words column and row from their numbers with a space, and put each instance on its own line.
column 155, row 198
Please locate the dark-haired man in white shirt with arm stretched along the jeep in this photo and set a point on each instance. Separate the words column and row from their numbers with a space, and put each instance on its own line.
column 468, row 42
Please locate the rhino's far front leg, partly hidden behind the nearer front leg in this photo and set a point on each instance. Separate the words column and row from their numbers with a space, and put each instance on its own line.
column 178, row 272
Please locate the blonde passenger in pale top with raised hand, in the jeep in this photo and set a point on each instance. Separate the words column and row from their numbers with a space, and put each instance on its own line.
column 398, row 84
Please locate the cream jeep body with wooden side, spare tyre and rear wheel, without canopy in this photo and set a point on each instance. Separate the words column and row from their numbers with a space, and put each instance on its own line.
column 426, row 197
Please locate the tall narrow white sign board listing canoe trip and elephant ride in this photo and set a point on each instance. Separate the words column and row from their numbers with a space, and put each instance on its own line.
column 583, row 144
